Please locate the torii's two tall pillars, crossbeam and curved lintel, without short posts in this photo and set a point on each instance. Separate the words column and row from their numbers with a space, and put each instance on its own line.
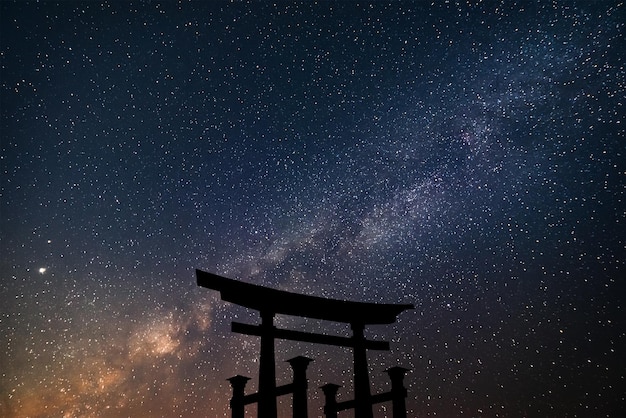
column 270, row 302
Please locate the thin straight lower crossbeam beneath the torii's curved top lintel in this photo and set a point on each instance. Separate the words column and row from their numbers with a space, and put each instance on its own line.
column 308, row 337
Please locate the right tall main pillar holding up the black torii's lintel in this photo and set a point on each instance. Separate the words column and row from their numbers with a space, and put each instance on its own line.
column 362, row 394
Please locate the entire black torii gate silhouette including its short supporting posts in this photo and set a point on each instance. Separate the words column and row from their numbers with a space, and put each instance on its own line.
column 270, row 302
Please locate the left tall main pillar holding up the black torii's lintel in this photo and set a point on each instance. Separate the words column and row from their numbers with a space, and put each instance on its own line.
column 267, row 368
